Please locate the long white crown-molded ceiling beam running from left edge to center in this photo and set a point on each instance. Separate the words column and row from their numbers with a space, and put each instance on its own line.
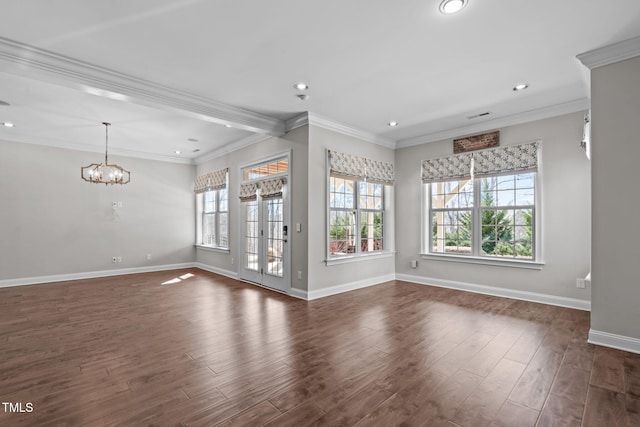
column 84, row 76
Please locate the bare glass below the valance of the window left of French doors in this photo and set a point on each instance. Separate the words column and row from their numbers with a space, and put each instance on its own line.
column 215, row 218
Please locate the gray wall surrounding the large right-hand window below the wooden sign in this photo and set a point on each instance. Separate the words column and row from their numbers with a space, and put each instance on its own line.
column 565, row 208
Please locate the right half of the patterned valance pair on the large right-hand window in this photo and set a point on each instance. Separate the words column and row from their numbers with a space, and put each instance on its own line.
column 507, row 160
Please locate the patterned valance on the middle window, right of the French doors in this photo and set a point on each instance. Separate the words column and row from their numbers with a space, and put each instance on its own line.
column 347, row 166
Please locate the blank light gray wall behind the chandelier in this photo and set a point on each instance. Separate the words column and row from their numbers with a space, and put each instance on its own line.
column 52, row 222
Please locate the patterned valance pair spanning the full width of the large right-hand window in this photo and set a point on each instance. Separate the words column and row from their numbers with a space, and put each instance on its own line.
column 506, row 160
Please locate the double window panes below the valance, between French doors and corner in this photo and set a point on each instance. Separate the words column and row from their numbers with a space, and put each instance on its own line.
column 355, row 217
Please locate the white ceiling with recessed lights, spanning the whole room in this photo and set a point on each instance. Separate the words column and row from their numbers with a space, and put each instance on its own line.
column 181, row 69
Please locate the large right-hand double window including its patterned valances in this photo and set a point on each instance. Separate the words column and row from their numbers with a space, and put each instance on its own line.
column 489, row 214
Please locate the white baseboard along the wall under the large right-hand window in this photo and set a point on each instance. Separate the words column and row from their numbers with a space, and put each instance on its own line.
column 500, row 292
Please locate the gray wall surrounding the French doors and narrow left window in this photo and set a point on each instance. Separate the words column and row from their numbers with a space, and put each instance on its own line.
column 296, row 141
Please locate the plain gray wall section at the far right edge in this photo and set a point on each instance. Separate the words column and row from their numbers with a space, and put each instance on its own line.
column 615, row 91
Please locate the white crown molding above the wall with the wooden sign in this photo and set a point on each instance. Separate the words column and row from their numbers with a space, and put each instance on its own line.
column 514, row 119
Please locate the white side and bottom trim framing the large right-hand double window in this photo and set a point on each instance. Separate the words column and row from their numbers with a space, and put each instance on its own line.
column 537, row 263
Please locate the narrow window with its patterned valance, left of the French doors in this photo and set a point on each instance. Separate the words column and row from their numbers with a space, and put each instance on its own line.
column 212, row 210
